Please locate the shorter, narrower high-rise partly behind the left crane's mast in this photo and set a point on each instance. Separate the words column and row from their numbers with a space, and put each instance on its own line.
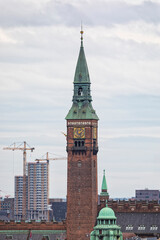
column 18, row 200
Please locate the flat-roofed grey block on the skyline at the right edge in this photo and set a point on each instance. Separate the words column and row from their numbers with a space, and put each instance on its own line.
column 148, row 195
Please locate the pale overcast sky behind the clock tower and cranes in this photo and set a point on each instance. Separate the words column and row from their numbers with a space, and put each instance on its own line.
column 39, row 46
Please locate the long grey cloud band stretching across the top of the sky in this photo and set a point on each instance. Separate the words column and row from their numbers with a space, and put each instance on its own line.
column 22, row 13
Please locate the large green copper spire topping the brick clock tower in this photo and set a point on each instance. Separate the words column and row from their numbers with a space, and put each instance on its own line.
column 82, row 107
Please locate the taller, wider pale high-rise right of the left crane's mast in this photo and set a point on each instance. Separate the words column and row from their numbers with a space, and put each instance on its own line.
column 38, row 191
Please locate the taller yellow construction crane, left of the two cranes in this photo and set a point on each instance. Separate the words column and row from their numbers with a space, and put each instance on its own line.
column 24, row 147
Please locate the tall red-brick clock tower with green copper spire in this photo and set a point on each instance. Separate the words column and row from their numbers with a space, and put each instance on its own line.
column 82, row 148
